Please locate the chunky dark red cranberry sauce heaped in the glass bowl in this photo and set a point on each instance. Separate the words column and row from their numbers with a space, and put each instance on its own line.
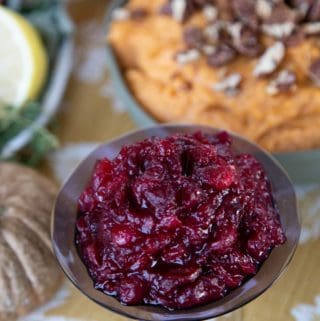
column 176, row 221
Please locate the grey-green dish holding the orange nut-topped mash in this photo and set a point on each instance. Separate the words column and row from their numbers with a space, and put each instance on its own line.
column 302, row 167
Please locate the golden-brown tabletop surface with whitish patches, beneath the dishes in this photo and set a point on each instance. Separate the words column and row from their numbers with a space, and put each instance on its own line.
column 91, row 114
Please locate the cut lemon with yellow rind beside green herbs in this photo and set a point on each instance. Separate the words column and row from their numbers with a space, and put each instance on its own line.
column 23, row 60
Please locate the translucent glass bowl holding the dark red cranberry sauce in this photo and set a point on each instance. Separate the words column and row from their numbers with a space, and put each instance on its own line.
column 65, row 214
